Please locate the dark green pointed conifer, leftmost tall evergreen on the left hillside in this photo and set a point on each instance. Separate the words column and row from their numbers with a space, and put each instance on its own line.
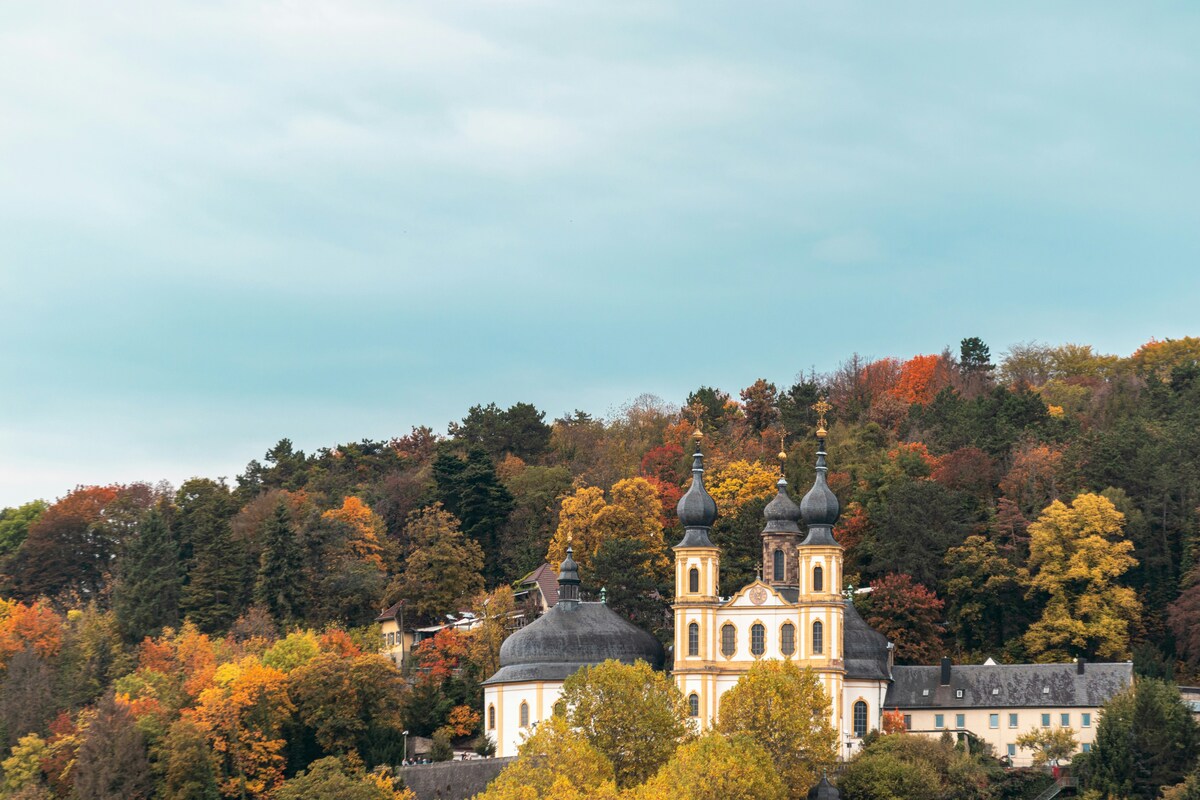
column 147, row 597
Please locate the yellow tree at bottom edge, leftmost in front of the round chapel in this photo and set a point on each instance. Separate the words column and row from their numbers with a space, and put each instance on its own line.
column 555, row 762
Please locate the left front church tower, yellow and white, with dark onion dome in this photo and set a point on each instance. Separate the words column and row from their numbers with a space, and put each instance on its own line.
column 698, row 596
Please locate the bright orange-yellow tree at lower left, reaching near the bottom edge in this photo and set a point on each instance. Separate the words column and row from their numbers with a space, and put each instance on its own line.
column 243, row 715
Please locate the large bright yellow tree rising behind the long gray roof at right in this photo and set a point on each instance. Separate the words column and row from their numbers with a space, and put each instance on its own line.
column 1077, row 555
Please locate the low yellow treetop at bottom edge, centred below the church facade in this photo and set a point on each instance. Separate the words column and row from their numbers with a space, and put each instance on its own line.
column 716, row 767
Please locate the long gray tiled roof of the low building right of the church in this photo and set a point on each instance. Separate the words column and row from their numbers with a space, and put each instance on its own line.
column 1019, row 685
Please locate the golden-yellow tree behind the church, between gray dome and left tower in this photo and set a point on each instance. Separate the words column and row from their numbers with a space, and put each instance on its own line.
column 589, row 520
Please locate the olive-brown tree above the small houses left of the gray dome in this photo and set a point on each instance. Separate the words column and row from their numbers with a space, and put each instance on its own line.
column 443, row 570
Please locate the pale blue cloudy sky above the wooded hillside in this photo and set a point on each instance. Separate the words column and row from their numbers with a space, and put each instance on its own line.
column 224, row 224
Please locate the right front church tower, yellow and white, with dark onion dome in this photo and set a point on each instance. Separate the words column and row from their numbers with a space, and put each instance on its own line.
column 820, row 561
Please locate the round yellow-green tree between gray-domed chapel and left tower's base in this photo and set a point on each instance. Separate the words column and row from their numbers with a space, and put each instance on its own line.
column 633, row 715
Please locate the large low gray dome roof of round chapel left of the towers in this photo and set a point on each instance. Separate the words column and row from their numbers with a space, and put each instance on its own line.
column 571, row 636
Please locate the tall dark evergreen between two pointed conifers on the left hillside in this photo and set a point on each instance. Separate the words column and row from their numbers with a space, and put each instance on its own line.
column 213, row 598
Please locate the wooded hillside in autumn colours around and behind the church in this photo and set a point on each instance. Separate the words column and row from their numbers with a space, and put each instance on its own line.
column 218, row 639
